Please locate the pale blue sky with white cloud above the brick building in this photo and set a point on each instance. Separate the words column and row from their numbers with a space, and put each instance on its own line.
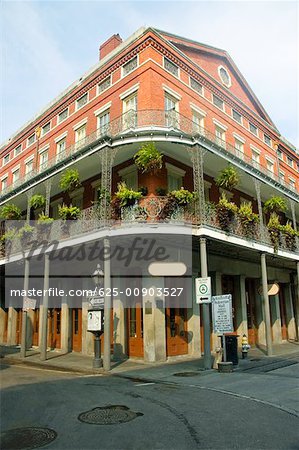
column 47, row 45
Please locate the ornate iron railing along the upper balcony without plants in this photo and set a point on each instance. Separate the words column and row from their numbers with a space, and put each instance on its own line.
column 143, row 121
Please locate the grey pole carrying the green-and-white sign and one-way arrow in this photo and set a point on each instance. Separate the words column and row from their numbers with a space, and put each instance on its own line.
column 205, row 307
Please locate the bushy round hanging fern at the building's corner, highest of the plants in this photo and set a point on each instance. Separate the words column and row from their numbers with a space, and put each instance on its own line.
column 148, row 158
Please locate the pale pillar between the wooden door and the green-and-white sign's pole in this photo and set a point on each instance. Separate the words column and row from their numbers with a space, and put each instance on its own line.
column 194, row 344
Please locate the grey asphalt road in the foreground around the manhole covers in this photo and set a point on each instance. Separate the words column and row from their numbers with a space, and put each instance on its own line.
column 172, row 416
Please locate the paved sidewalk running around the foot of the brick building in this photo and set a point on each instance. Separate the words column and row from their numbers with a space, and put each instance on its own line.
column 78, row 363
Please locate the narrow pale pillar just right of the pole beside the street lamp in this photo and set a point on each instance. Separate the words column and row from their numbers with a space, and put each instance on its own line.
column 119, row 323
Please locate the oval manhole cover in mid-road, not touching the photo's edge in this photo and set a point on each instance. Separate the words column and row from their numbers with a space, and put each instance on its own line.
column 108, row 415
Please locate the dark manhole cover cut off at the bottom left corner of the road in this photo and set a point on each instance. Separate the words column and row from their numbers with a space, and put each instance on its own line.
column 26, row 438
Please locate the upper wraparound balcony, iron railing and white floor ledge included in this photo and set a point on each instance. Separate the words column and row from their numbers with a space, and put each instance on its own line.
column 143, row 122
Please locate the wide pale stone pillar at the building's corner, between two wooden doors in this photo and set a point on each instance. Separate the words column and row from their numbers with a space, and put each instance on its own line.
column 154, row 330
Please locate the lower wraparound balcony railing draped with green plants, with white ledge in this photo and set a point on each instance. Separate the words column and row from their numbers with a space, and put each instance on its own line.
column 145, row 213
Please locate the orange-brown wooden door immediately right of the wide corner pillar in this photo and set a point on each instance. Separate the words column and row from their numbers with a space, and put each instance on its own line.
column 176, row 331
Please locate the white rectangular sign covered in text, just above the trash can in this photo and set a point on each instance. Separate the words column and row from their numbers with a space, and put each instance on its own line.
column 222, row 314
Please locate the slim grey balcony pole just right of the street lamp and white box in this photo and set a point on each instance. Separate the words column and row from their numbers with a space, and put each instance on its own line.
column 107, row 305
